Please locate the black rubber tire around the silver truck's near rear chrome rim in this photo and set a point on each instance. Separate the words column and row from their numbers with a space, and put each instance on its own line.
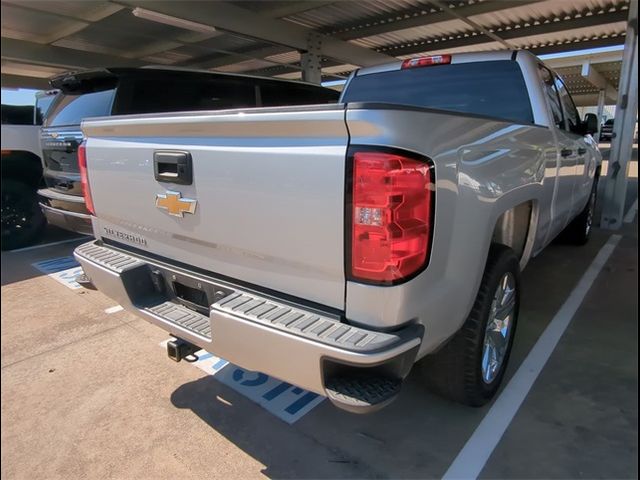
column 455, row 371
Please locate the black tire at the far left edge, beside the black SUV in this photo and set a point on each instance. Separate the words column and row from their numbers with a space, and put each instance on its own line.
column 22, row 219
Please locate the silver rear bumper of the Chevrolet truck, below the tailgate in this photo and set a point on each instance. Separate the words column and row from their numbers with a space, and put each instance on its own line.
column 298, row 344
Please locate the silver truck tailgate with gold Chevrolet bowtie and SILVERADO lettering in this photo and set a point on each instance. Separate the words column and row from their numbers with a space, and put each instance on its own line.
column 269, row 186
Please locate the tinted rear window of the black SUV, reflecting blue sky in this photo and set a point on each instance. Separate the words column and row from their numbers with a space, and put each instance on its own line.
column 72, row 109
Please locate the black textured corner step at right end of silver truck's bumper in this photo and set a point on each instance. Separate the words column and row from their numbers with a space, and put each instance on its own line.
column 362, row 394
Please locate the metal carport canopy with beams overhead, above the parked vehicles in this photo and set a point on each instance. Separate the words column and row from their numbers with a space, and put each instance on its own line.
column 320, row 40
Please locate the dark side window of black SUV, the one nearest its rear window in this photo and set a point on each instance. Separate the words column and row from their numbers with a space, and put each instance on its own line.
column 155, row 95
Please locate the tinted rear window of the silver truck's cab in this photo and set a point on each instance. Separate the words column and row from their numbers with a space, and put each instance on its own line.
column 494, row 89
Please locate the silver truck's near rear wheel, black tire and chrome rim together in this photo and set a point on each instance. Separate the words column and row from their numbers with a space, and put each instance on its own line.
column 470, row 367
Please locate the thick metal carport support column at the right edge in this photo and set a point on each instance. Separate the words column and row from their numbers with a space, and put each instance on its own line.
column 623, row 129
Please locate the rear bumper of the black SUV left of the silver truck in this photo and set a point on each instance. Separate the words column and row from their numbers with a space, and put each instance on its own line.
column 65, row 211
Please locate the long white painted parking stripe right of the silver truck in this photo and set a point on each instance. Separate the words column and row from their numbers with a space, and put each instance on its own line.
column 474, row 455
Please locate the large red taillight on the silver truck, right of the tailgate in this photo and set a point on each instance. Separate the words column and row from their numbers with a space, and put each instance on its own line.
column 391, row 216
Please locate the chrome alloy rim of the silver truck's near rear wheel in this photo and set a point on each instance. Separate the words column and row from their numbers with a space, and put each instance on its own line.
column 498, row 331
